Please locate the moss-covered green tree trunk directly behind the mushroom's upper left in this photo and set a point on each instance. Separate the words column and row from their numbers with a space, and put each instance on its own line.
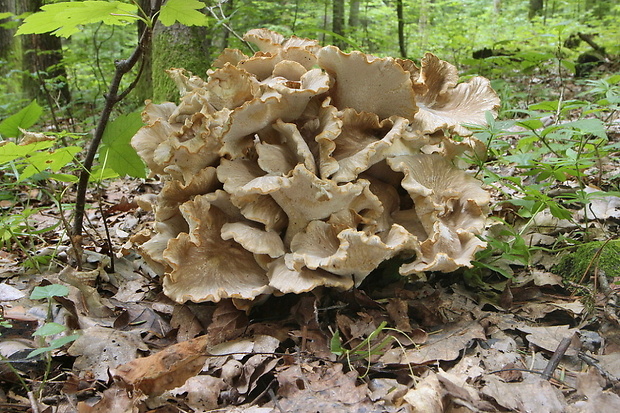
column 181, row 47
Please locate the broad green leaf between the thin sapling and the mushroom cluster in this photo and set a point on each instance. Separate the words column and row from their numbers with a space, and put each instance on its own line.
column 116, row 151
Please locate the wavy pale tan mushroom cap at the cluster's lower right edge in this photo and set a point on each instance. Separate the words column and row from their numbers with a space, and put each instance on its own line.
column 451, row 208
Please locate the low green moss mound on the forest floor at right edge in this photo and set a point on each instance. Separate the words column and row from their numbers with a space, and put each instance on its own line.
column 588, row 257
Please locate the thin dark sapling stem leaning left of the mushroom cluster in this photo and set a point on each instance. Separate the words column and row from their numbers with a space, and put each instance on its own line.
column 111, row 99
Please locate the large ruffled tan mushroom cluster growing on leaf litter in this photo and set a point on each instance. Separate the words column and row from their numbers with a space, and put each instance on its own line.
column 303, row 166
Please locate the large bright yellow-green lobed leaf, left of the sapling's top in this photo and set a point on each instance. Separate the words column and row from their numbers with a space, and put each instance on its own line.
column 63, row 19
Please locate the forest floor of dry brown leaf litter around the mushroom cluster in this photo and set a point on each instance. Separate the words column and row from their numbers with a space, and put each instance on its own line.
column 534, row 343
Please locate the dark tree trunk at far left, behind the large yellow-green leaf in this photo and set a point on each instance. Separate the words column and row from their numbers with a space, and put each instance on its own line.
column 45, row 76
